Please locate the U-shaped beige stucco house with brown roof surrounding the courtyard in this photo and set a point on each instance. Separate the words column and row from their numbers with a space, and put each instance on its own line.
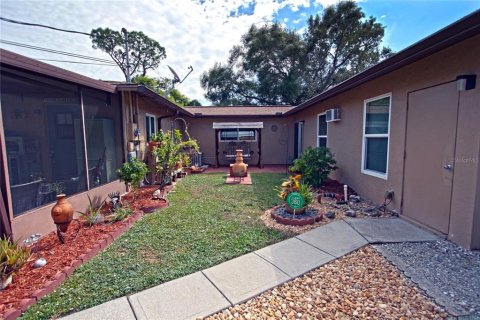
column 410, row 124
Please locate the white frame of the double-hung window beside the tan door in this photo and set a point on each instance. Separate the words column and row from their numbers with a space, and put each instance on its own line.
column 382, row 135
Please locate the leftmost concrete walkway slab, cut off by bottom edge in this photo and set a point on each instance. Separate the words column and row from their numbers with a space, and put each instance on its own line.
column 118, row 309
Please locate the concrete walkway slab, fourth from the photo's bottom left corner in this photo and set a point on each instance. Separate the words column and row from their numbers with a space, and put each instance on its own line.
column 294, row 257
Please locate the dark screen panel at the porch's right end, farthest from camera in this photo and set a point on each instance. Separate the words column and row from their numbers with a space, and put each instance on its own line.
column 103, row 132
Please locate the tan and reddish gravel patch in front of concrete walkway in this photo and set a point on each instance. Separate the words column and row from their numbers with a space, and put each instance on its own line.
column 361, row 285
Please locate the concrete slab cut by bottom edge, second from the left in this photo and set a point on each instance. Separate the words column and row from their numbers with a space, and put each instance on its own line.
column 189, row 297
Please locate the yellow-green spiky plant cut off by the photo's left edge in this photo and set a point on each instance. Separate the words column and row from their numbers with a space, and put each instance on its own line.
column 12, row 257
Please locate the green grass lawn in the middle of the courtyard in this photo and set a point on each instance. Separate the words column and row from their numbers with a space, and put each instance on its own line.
column 207, row 222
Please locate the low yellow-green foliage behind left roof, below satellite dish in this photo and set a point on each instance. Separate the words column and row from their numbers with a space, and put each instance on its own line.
column 164, row 87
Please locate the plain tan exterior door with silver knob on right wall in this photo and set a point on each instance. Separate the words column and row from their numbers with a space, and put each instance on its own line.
column 430, row 149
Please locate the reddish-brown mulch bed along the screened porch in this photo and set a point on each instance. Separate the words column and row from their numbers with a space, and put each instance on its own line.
column 78, row 239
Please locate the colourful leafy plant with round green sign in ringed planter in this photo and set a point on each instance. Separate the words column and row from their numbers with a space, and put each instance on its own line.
column 297, row 195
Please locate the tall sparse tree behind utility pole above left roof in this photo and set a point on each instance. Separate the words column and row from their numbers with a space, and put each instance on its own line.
column 144, row 52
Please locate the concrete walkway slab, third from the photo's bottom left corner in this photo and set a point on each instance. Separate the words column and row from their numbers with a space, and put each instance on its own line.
column 245, row 277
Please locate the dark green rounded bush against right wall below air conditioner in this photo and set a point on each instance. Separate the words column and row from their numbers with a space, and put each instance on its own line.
column 315, row 165
